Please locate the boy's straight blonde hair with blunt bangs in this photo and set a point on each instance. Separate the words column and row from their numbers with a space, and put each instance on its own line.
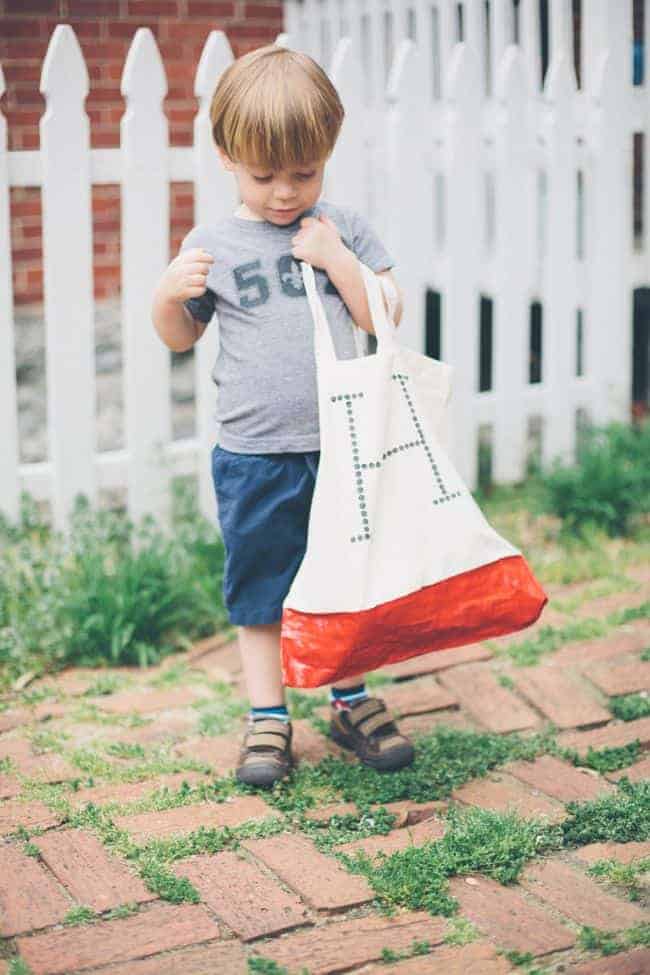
column 275, row 108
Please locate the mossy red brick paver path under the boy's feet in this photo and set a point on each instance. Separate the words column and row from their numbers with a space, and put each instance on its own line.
column 275, row 895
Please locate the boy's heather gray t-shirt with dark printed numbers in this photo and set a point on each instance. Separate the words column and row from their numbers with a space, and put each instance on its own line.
column 265, row 371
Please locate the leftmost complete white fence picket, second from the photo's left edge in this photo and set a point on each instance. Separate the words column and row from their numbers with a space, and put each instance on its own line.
column 68, row 274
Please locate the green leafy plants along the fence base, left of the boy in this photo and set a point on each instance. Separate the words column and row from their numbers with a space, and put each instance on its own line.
column 108, row 590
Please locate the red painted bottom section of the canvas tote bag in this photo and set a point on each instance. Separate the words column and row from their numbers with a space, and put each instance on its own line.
column 495, row 599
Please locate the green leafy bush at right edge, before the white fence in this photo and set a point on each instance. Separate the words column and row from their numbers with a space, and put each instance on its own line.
column 609, row 486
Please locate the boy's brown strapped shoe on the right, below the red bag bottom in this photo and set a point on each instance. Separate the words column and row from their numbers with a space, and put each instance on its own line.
column 369, row 730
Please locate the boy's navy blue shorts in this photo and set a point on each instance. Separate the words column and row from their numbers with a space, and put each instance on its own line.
column 263, row 502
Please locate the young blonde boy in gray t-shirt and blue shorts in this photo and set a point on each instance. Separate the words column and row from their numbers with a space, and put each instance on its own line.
column 275, row 120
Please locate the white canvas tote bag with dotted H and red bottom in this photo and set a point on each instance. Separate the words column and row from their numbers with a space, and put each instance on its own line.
column 400, row 560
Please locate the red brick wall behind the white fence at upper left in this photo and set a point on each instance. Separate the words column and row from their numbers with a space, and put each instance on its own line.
column 105, row 29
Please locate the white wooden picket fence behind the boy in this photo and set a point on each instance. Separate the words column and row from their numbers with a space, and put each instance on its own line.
column 474, row 191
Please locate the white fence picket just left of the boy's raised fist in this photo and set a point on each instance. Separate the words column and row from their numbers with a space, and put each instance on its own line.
column 145, row 254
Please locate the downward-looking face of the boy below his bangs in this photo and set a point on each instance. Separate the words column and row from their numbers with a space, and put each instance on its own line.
column 278, row 196
